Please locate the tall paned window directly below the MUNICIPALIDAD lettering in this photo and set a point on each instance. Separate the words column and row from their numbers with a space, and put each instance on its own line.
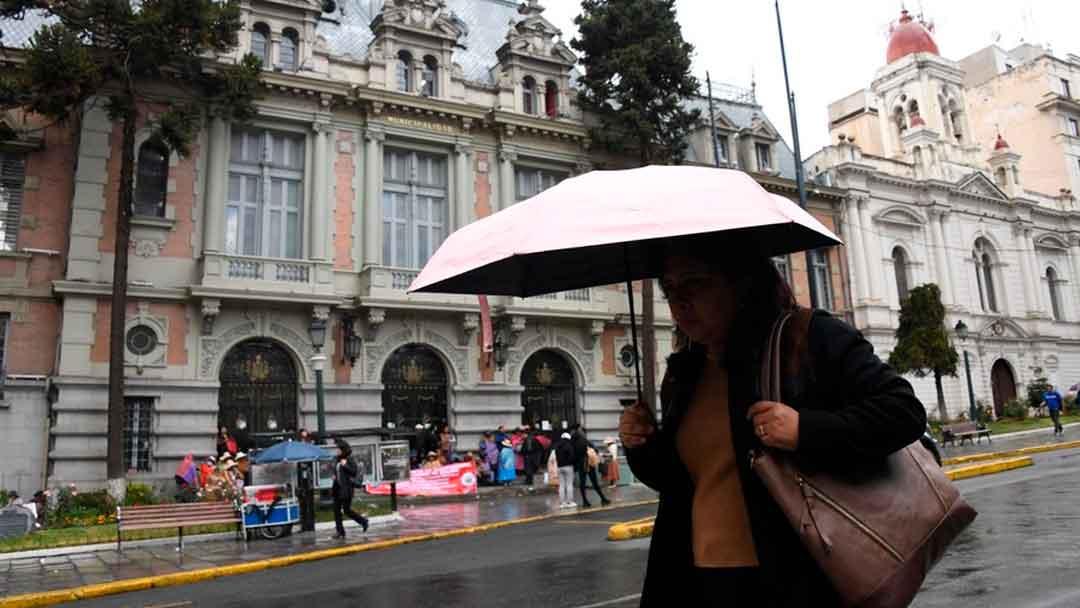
column 414, row 207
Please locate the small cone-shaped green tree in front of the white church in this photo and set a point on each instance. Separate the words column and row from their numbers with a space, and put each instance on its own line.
column 923, row 345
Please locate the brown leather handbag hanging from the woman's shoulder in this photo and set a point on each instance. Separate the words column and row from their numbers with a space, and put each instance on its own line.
column 874, row 534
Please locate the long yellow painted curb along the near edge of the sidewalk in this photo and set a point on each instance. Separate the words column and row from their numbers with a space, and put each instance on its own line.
column 87, row 592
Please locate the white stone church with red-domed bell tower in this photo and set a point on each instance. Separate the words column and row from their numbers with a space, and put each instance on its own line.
column 934, row 196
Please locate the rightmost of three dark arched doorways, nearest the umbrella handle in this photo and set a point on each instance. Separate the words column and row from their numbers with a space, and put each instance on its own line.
column 550, row 391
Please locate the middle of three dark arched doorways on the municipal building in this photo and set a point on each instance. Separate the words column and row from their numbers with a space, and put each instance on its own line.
column 414, row 388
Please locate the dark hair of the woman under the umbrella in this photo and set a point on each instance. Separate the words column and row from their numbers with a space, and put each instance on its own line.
column 767, row 296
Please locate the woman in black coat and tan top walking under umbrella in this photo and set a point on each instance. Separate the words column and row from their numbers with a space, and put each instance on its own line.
column 720, row 537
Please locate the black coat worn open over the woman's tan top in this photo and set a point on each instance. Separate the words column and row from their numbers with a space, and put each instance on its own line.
column 853, row 409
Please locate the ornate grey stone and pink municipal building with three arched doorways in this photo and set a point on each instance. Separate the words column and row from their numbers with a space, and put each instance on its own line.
column 383, row 129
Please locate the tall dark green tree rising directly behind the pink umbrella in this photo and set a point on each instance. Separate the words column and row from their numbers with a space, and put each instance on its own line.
column 637, row 84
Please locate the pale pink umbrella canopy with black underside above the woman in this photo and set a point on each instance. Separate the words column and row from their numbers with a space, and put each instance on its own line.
column 609, row 227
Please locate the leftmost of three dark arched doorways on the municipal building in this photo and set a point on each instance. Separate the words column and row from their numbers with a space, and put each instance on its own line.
column 259, row 391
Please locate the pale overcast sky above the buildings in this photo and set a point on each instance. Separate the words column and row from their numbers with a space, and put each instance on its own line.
column 836, row 47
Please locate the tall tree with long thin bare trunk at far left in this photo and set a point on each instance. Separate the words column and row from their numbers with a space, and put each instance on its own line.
column 151, row 62
